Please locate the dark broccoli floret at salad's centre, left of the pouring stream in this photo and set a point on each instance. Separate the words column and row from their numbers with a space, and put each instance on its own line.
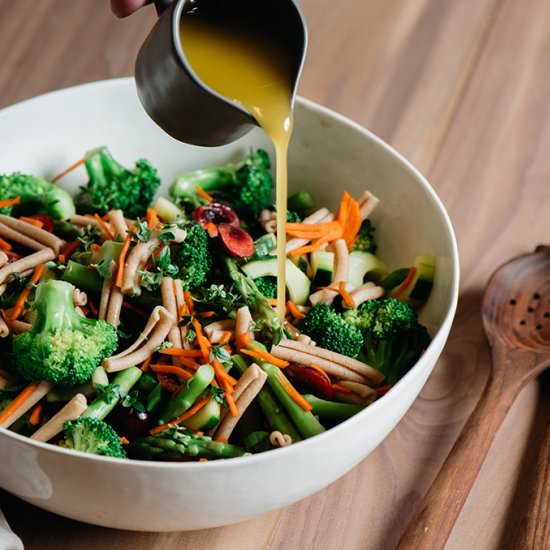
column 193, row 257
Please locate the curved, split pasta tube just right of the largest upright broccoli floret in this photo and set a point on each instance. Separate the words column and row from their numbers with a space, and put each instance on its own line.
column 137, row 353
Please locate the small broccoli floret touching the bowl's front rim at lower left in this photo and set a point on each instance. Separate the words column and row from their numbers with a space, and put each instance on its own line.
column 91, row 435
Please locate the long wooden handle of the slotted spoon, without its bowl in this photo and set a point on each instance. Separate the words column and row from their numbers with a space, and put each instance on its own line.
column 436, row 515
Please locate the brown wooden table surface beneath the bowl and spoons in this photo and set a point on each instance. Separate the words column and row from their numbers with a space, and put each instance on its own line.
column 461, row 88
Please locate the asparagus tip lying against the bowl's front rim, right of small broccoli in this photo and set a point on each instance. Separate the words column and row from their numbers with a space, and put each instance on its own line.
column 178, row 442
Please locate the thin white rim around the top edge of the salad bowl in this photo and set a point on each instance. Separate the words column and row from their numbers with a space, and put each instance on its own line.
column 438, row 339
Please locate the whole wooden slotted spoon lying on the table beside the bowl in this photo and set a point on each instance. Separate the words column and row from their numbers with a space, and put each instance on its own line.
column 516, row 319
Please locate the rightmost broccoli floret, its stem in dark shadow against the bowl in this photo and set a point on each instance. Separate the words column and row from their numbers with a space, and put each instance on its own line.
column 393, row 337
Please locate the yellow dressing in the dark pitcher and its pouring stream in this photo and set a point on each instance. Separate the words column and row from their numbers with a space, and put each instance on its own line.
column 248, row 65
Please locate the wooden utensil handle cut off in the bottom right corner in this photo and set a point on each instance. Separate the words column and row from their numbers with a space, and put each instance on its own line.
column 534, row 529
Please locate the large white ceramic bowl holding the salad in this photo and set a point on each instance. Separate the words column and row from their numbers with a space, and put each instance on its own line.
column 329, row 153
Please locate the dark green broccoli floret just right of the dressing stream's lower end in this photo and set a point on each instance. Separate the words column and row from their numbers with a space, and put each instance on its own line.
column 329, row 330
